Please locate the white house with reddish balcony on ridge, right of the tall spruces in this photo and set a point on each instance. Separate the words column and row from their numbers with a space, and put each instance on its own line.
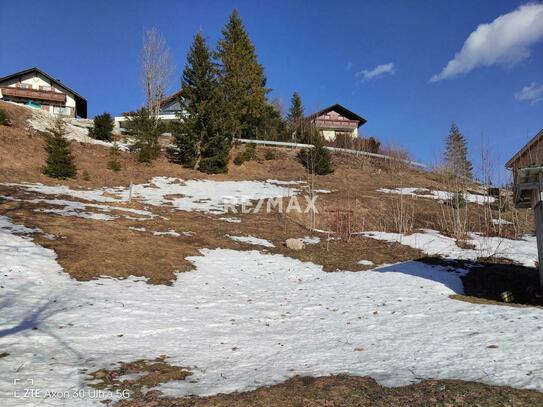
column 336, row 120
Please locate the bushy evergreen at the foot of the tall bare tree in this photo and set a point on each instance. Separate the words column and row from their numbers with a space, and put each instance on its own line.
column 146, row 130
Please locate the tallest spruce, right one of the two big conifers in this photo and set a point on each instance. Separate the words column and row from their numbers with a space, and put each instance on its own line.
column 242, row 80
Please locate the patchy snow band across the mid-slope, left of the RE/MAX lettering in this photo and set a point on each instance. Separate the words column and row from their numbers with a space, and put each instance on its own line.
column 185, row 195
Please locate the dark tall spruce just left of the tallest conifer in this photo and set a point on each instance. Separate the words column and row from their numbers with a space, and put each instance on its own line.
column 200, row 138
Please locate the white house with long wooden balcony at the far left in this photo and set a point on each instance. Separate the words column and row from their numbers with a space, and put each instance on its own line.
column 35, row 88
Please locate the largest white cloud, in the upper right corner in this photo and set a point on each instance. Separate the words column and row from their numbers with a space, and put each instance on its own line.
column 506, row 40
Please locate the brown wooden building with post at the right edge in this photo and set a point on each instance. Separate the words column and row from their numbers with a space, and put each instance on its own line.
column 527, row 167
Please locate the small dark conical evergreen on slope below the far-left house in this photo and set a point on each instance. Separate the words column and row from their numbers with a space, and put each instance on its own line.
column 59, row 162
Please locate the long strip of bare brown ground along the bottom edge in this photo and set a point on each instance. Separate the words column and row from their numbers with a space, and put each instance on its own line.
column 346, row 391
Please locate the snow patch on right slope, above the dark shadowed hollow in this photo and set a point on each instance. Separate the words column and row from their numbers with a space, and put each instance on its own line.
column 431, row 242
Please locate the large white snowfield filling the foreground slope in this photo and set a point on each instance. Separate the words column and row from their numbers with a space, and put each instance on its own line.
column 246, row 319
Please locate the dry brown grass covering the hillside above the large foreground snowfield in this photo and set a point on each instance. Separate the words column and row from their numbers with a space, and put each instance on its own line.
column 93, row 248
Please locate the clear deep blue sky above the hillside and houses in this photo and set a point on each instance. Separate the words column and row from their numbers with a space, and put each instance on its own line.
column 318, row 48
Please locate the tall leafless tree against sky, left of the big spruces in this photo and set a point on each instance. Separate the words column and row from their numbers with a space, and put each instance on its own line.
column 157, row 69
